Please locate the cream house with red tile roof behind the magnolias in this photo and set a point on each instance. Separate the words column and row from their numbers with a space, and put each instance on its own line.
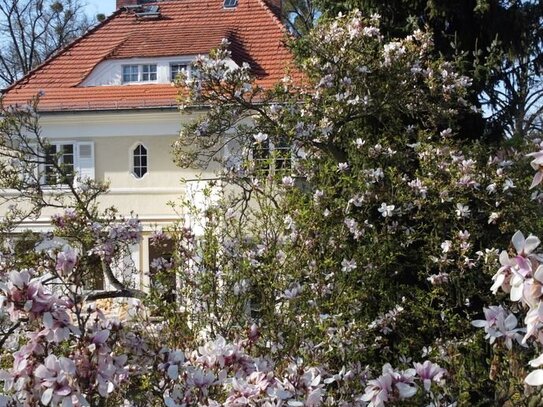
column 108, row 104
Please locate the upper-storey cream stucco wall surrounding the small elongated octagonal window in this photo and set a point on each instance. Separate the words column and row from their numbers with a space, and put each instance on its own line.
column 115, row 135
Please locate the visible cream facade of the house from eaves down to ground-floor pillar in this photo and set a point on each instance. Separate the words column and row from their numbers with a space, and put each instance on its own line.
column 113, row 136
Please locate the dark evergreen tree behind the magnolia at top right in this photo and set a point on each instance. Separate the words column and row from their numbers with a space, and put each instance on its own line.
column 498, row 41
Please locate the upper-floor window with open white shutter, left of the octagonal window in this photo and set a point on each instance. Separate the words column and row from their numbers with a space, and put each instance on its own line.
column 62, row 161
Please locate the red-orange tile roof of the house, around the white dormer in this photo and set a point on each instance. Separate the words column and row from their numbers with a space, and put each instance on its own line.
column 186, row 27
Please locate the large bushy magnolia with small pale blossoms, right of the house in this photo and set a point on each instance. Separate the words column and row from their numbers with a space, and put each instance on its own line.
column 372, row 242
